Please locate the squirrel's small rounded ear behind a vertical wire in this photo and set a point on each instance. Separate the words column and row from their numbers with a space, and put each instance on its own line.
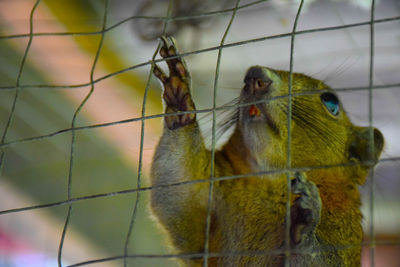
column 361, row 149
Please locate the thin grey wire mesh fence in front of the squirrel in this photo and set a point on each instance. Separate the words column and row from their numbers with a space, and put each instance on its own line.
column 70, row 201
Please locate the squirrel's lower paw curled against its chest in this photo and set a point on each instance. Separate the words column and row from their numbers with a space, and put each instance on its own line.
column 305, row 211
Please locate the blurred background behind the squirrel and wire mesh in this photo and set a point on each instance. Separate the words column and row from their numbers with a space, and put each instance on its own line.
column 55, row 78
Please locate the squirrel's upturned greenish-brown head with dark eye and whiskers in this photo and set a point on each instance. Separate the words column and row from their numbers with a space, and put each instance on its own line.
column 321, row 132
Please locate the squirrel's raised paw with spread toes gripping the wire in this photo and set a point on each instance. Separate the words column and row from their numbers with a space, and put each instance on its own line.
column 176, row 87
